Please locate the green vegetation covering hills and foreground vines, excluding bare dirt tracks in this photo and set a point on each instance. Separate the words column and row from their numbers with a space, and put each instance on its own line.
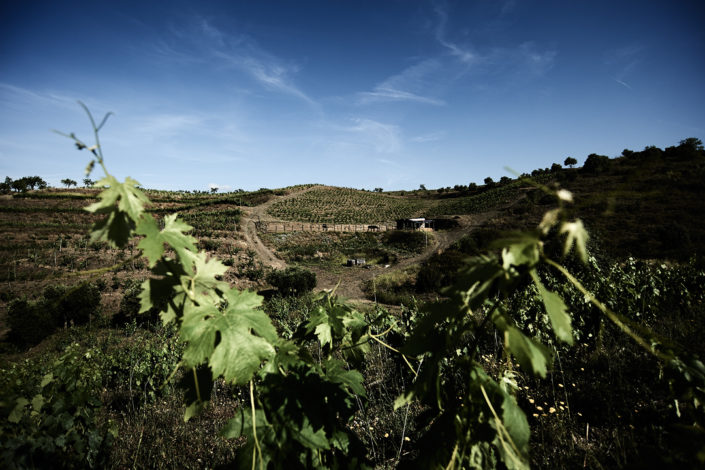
column 485, row 351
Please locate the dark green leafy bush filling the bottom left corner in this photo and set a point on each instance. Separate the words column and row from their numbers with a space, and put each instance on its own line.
column 53, row 424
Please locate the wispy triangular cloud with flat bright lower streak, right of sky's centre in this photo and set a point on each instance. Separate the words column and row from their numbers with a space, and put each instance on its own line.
column 405, row 86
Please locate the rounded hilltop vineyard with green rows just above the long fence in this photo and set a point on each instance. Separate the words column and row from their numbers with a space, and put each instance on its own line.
column 346, row 206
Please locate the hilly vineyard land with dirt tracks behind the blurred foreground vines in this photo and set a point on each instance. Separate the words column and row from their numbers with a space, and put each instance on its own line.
column 605, row 402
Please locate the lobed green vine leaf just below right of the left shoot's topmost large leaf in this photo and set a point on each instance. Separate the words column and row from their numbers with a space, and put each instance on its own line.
column 172, row 234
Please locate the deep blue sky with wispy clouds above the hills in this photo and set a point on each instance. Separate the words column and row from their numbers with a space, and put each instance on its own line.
column 389, row 94
